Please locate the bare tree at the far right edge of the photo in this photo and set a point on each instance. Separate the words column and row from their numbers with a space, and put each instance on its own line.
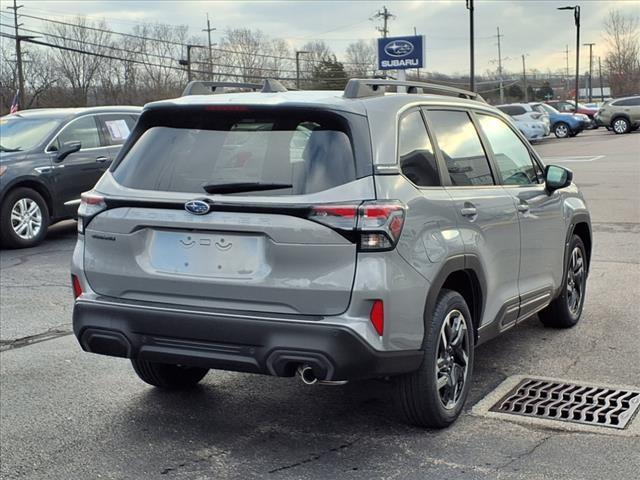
column 623, row 59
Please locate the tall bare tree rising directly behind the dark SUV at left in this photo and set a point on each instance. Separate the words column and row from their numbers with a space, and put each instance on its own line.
column 79, row 69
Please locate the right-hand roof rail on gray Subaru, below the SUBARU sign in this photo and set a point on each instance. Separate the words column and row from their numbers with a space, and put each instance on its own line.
column 370, row 87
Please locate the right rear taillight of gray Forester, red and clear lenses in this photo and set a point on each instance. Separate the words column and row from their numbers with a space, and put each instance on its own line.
column 379, row 224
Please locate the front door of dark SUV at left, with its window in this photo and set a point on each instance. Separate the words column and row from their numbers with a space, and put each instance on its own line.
column 79, row 171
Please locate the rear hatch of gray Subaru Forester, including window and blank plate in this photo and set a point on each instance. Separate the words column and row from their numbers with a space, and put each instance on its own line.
column 234, row 207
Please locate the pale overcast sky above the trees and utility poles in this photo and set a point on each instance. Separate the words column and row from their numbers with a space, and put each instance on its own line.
column 529, row 26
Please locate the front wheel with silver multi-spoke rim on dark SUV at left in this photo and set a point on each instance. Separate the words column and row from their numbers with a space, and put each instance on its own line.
column 24, row 219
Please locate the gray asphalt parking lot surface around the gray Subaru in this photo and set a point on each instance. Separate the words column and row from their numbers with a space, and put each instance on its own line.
column 66, row 414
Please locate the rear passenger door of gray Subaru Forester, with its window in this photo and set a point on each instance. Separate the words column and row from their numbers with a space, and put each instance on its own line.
column 487, row 218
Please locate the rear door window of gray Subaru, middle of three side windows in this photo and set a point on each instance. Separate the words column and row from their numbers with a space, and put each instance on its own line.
column 460, row 145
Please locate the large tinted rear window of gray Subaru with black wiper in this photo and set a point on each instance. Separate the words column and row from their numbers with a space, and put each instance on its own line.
column 290, row 152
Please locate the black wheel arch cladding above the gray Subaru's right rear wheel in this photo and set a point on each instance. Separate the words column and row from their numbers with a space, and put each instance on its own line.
column 460, row 274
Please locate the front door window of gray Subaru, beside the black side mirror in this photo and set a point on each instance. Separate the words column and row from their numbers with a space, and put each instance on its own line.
column 511, row 155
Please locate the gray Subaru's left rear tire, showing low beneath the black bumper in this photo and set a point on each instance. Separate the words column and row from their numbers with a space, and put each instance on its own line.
column 164, row 375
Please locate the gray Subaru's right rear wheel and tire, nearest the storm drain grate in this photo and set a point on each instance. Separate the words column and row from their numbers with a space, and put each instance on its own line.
column 416, row 394
